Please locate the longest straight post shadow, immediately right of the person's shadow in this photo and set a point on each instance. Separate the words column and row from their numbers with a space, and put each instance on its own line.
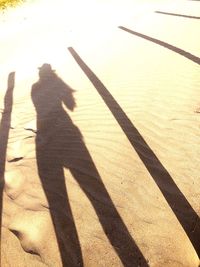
column 175, row 198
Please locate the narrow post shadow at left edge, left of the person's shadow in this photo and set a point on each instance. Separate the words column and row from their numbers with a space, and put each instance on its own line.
column 4, row 134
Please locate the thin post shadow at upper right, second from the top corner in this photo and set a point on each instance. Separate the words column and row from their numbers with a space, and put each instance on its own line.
column 164, row 44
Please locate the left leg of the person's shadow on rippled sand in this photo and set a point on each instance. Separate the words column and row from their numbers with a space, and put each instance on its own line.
column 52, row 177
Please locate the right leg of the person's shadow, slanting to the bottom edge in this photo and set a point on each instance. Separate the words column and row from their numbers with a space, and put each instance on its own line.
column 111, row 221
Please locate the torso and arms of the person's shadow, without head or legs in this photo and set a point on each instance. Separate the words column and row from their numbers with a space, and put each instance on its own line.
column 57, row 137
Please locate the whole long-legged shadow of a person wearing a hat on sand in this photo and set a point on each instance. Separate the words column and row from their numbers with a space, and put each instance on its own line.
column 59, row 144
